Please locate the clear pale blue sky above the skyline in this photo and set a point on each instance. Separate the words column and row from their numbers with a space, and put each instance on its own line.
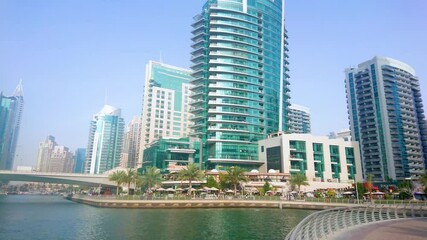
column 68, row 53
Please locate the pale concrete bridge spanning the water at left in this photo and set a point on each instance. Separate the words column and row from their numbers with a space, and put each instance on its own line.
column 93, row 180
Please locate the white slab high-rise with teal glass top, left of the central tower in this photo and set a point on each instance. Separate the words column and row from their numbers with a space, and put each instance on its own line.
column 165, row 111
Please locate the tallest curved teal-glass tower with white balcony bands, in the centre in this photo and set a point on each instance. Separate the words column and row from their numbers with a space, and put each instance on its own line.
column 240, row 70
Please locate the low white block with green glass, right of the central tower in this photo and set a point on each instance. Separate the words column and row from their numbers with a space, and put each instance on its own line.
column 321, row 159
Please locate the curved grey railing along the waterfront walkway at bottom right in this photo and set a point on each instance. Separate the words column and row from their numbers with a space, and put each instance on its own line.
column 320, row 225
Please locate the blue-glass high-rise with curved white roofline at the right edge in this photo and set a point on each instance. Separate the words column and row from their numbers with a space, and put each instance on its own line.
column 387, row 118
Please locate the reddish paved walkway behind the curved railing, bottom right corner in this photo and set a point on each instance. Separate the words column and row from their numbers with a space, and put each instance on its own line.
column 405, row 229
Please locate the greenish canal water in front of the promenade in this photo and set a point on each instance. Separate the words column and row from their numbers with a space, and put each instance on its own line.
column 52, row 217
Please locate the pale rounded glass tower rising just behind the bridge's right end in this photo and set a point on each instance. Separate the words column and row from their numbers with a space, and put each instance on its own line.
column 105, row 141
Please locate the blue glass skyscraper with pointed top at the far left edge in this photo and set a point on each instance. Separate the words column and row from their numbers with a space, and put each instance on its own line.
column 10, row 122
